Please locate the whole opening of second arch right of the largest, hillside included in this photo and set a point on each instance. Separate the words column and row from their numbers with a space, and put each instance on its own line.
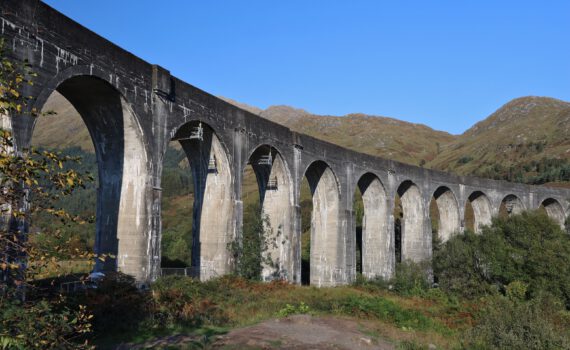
column 267, row 208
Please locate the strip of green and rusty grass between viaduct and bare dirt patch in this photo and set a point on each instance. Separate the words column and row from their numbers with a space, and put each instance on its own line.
column 243, row 303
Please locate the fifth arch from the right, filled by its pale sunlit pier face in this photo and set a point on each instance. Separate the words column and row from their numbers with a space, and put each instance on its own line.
column 415, row 244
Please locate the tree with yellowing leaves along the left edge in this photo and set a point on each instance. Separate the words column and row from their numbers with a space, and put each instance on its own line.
column 31, row 181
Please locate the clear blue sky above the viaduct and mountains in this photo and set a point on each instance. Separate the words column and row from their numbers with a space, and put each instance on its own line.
column 446, row 64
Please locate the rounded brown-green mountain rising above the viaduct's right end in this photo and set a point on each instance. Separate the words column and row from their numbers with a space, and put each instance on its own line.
column 523, row 140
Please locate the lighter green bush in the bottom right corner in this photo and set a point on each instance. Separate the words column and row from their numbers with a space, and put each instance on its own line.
column 508, row 324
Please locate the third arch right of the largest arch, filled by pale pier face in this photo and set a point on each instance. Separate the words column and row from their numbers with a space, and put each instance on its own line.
column 326, row 260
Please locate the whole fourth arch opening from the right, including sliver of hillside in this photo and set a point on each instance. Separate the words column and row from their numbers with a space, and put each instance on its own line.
column 444, row 214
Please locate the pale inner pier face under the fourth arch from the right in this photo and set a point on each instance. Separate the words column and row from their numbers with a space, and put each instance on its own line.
column 449, row 222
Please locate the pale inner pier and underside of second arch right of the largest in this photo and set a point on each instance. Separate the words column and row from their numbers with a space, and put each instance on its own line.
column 275, row 190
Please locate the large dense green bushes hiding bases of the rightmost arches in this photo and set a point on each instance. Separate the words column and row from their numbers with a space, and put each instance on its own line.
column 529, row 248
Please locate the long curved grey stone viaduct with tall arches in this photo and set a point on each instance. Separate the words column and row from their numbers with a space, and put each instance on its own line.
column 133, row 109
